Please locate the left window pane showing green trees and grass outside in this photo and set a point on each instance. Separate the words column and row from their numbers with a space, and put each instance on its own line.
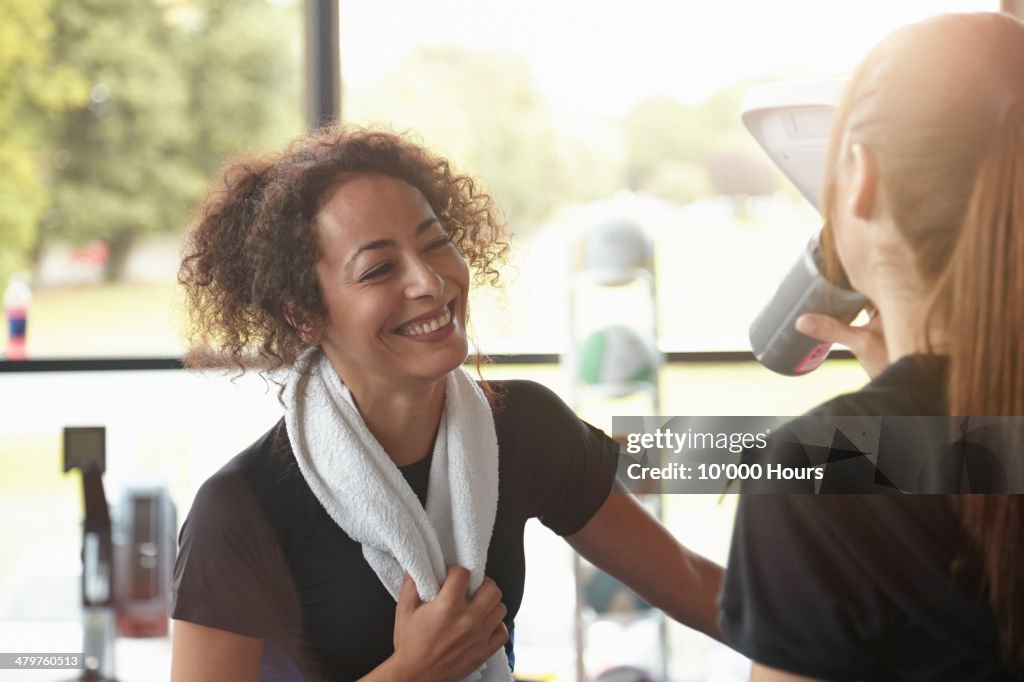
column 118, row 114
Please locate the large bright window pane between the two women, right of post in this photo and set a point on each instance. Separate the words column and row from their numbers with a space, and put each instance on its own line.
column 572, row 113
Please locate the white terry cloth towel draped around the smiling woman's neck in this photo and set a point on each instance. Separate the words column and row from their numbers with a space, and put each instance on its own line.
column 366, row 495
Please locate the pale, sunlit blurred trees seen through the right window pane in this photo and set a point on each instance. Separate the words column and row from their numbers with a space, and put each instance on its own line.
column 484, row 111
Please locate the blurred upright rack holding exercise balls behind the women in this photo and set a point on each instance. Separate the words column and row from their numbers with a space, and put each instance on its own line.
column 614, row 368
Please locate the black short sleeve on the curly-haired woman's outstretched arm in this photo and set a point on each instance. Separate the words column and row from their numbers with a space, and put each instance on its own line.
column 566, row 465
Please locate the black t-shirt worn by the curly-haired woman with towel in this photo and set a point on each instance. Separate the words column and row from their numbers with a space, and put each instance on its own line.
column 260, row 557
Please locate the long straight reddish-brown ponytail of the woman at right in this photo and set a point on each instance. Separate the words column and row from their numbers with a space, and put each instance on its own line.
column 985, row 288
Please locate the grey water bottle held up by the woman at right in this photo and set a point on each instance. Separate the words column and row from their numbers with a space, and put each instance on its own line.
column 775, row 338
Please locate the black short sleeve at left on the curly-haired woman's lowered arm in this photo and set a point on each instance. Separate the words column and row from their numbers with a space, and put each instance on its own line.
column 230, row 568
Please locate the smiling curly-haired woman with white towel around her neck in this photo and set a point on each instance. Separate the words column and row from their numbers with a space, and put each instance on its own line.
column 377, row 531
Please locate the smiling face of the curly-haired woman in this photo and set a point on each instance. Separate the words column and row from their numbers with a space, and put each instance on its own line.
column 394, row 285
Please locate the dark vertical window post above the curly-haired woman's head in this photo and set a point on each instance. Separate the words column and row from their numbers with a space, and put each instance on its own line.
column 323, row 64
